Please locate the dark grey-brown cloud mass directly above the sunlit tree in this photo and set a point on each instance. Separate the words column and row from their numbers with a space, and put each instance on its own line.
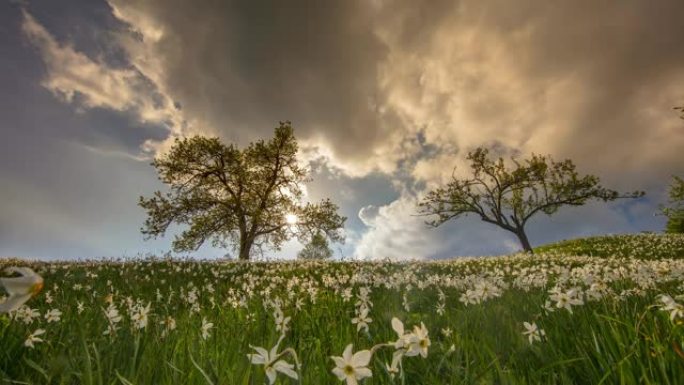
column 247, row 65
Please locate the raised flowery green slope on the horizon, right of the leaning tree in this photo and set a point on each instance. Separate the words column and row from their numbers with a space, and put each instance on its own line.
column 644, row 246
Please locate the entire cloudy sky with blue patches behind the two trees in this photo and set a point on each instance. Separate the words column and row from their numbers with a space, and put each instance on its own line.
column 386, row 98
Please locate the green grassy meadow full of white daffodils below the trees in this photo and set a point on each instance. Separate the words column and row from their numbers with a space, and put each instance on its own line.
column 586, row 312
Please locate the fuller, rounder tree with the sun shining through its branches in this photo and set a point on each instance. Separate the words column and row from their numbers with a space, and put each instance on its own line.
column 247, row 198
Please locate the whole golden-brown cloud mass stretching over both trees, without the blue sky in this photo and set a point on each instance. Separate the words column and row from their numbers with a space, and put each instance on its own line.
column 404, row 90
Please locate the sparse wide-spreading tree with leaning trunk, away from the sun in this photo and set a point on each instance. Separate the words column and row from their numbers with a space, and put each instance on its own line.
column 509, row 196
